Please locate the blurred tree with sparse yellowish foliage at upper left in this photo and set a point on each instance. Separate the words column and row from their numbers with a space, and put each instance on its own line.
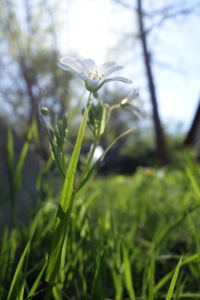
column 29, row 75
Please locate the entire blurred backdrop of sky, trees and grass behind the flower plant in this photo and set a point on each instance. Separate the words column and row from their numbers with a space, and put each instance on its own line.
column 158, row 43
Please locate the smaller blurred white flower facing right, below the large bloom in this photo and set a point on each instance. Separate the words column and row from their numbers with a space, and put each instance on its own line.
column 133, row 103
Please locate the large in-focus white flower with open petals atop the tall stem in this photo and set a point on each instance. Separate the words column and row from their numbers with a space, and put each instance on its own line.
column 86, row 69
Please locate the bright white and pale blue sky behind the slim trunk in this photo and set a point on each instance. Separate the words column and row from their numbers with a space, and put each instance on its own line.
column 104, row 31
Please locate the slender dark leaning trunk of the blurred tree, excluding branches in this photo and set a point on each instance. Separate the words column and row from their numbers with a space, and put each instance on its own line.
column 160, row 142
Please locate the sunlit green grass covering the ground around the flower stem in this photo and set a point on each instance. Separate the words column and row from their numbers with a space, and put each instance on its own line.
column 125, row 239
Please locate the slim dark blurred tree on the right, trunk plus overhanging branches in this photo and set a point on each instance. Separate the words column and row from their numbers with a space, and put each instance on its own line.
column 156, row 18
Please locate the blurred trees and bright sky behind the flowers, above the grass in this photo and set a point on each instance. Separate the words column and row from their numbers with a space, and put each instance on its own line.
column 158, row 44
